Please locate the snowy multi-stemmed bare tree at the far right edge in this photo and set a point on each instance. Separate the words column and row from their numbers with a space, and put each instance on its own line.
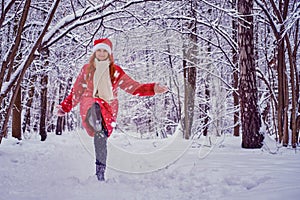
column 285, row 60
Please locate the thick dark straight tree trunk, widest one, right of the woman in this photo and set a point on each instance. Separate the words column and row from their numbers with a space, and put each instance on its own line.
column 250, row 117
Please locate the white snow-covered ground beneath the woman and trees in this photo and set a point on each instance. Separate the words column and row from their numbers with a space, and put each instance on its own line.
column 62, row 167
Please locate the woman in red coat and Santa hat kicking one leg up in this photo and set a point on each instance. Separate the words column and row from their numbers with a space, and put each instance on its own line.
column 96, row 90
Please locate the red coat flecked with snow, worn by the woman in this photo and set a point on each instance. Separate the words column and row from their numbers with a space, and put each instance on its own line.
column 82, row 92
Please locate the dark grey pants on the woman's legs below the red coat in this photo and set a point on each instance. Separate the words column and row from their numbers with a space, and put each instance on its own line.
column 94, row 118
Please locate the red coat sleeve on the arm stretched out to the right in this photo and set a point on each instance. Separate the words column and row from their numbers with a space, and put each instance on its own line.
column 129, row 85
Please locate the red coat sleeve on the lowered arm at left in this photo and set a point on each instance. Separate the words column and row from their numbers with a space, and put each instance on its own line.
column 76, row 92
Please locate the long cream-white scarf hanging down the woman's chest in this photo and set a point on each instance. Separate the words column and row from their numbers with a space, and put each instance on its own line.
column 102, row 81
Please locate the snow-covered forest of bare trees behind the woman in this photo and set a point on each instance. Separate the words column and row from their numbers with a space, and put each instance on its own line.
column 232, row 67
